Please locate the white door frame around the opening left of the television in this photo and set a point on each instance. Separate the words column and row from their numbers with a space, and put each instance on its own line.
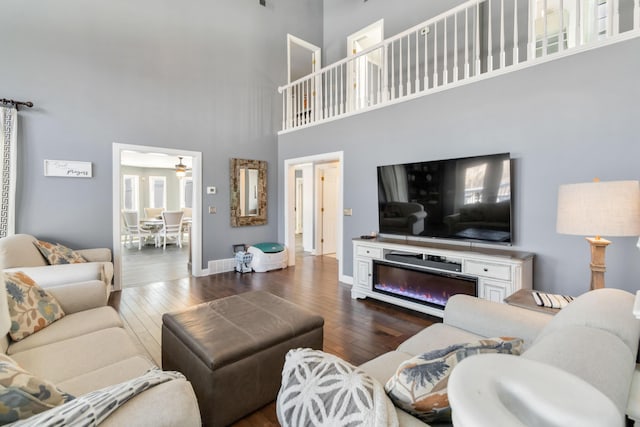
column 289, row 197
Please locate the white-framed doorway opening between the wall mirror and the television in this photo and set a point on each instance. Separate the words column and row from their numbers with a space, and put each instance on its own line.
column 311, row 167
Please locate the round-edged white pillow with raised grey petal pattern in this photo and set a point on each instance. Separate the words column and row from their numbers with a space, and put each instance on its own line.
column 320, row 389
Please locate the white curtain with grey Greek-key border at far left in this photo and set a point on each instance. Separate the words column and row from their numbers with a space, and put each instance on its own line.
column 9, row 133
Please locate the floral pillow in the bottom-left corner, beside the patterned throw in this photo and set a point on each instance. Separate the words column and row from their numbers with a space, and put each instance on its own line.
column 23, row 395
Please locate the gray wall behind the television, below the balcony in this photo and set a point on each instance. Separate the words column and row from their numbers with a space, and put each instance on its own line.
column 565, row 121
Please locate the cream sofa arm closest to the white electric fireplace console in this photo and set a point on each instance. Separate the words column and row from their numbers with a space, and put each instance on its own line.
column 492, row 319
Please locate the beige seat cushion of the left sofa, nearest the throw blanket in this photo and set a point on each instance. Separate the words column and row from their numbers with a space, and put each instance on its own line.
column 63, row 360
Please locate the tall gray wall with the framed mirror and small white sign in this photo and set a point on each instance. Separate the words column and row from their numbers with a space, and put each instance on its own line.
column 194, row 74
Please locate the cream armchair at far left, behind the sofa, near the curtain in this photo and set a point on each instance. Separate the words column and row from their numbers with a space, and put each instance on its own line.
column 18, row 253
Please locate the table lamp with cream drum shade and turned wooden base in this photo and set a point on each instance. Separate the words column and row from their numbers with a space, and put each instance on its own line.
column 599, row 208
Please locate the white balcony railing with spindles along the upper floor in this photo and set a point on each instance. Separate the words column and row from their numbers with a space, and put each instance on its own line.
column 473, row 40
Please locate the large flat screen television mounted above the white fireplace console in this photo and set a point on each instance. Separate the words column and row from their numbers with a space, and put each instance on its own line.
column 463, row 199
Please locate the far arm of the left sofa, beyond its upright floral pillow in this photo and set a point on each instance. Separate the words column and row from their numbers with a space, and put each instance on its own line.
column 75, row 297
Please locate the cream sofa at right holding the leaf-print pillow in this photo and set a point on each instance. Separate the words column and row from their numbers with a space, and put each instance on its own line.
column 595, row 338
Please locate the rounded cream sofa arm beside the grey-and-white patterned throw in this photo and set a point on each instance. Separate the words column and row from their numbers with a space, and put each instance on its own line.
column 170, row 404
